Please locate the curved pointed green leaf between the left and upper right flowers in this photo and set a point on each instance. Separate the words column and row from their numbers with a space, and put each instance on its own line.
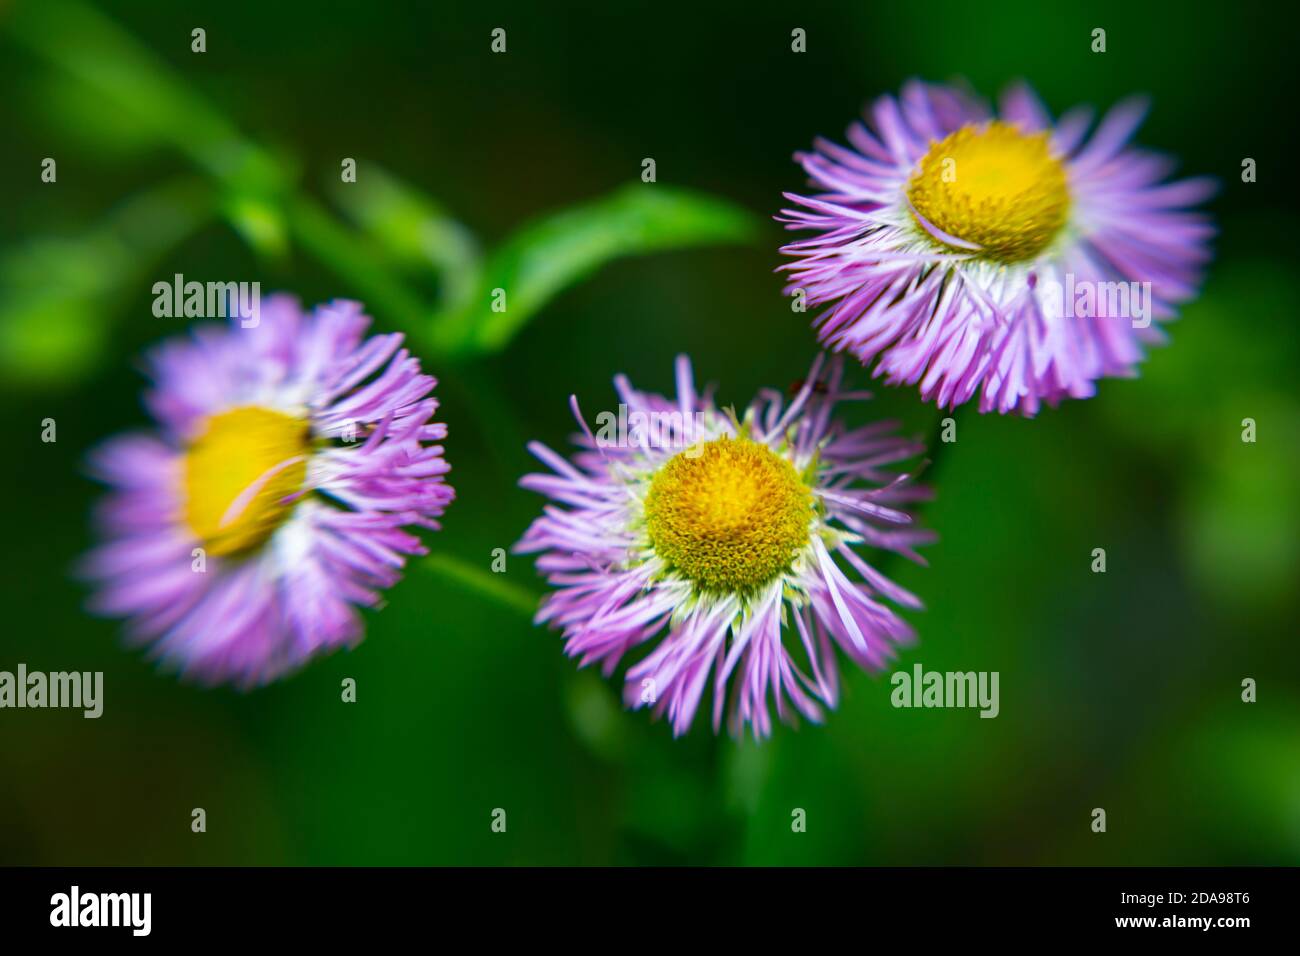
column 551, row 256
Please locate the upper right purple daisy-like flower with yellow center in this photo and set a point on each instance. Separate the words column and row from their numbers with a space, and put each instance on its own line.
column 998, row 254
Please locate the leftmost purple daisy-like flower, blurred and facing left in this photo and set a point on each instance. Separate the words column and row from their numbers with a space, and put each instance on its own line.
column 292, row 456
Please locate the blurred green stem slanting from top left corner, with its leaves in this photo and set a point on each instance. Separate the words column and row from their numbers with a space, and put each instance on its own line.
column 401, row 230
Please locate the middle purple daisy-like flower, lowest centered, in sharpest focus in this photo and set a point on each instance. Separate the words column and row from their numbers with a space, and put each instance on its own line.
column 733, row 544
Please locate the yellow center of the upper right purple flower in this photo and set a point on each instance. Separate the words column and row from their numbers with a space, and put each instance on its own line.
column 995, row 187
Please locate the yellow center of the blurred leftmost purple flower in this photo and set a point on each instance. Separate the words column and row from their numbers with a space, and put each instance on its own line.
column 239, row 475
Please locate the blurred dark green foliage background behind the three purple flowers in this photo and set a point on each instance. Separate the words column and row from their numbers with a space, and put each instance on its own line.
column 1120, row 691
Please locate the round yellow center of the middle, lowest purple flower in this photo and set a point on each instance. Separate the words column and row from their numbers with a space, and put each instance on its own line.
column 729, row 516
